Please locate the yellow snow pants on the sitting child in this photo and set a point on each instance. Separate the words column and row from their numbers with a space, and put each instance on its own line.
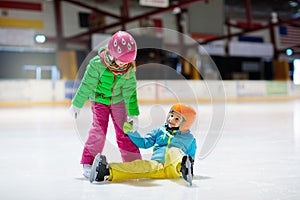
column 148, row 168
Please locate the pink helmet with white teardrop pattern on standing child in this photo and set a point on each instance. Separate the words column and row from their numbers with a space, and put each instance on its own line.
column 122, row 46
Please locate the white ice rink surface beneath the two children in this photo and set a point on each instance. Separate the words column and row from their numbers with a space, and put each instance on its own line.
column 256, row 158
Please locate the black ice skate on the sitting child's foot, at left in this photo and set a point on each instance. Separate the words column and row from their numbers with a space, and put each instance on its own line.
column 100, row 170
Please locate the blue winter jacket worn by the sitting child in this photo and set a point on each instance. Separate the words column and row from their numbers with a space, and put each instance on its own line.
column 161, row 140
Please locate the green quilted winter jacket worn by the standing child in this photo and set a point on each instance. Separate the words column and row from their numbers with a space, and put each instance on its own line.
column 101, row 85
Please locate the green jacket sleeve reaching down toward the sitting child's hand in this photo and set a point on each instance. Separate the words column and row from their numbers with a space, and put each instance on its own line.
column 130, row 95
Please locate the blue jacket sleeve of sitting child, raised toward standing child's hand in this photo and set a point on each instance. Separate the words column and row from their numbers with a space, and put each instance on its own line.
column 143, row 142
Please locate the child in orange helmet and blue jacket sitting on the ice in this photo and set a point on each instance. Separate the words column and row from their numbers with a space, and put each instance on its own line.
column 174, row 149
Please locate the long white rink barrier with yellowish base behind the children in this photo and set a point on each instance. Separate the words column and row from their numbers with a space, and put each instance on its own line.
column 47, row 92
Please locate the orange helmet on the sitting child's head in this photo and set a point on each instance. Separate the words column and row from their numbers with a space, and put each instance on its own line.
column 188, row 114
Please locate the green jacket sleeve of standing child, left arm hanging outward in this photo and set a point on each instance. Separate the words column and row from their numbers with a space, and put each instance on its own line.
column 88, row 84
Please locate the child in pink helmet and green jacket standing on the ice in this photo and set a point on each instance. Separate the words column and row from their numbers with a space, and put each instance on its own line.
column 110, row 83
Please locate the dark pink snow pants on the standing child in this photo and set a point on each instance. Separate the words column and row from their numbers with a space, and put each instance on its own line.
column 97, row 134
